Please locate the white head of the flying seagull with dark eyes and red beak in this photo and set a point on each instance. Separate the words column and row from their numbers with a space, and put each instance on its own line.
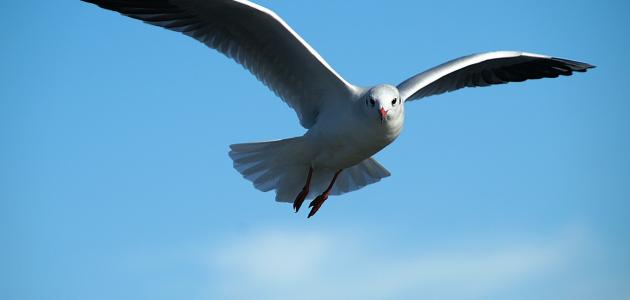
column 382, row 103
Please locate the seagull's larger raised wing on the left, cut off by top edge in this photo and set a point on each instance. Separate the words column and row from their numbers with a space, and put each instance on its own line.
column 254, row 37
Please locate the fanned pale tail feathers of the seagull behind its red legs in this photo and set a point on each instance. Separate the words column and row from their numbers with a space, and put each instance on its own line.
column 283, row 166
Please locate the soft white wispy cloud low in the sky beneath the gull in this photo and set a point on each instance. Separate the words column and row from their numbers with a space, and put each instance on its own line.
column 285, row 264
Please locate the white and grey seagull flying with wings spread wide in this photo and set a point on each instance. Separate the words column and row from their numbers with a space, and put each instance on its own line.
column 345, row 124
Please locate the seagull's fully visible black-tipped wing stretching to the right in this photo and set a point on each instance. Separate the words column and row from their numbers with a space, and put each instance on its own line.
column 485, row 69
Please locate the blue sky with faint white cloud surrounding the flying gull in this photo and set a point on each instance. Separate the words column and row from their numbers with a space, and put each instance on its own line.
column 115, row 181
